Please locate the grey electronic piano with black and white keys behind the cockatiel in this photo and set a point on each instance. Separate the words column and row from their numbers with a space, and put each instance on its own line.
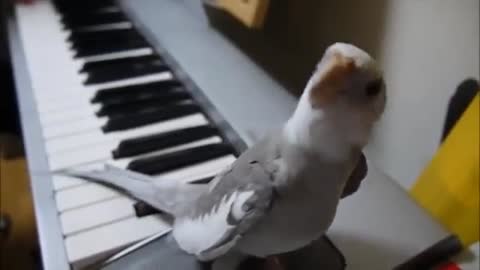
column 149, row 86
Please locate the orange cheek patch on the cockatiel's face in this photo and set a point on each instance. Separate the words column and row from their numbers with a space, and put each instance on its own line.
column 330, row 84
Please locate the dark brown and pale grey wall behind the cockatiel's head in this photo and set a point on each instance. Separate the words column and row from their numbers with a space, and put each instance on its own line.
column 426, row 48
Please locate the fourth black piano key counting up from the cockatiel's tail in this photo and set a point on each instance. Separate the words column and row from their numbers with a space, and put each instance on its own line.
column 128, row 106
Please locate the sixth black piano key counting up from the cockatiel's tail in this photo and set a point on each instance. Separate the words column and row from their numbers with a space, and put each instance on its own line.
column 121, row 72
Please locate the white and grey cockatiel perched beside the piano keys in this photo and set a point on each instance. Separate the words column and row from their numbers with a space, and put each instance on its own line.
column 282, row 193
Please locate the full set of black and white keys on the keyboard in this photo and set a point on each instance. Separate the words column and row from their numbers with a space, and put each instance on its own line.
column 105, row 96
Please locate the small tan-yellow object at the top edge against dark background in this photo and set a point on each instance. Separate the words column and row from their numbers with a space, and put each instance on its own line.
column 252, row 13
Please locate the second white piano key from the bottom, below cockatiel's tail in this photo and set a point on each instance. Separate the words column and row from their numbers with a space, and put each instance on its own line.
column 95, row 215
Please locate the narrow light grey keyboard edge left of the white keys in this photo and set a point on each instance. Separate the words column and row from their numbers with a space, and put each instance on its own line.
column 50, row 237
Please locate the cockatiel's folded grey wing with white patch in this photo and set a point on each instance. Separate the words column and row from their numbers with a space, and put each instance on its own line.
column 235, row 203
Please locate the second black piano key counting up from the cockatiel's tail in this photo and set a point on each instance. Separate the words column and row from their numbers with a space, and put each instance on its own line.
column 136, row 146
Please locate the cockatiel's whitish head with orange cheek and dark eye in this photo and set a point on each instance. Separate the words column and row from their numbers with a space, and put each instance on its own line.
column 347, row 80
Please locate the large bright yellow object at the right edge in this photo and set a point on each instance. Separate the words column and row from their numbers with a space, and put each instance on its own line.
column 449, row 186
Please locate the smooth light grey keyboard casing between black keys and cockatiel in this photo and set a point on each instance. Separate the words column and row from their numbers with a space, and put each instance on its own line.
column 231, row 81
